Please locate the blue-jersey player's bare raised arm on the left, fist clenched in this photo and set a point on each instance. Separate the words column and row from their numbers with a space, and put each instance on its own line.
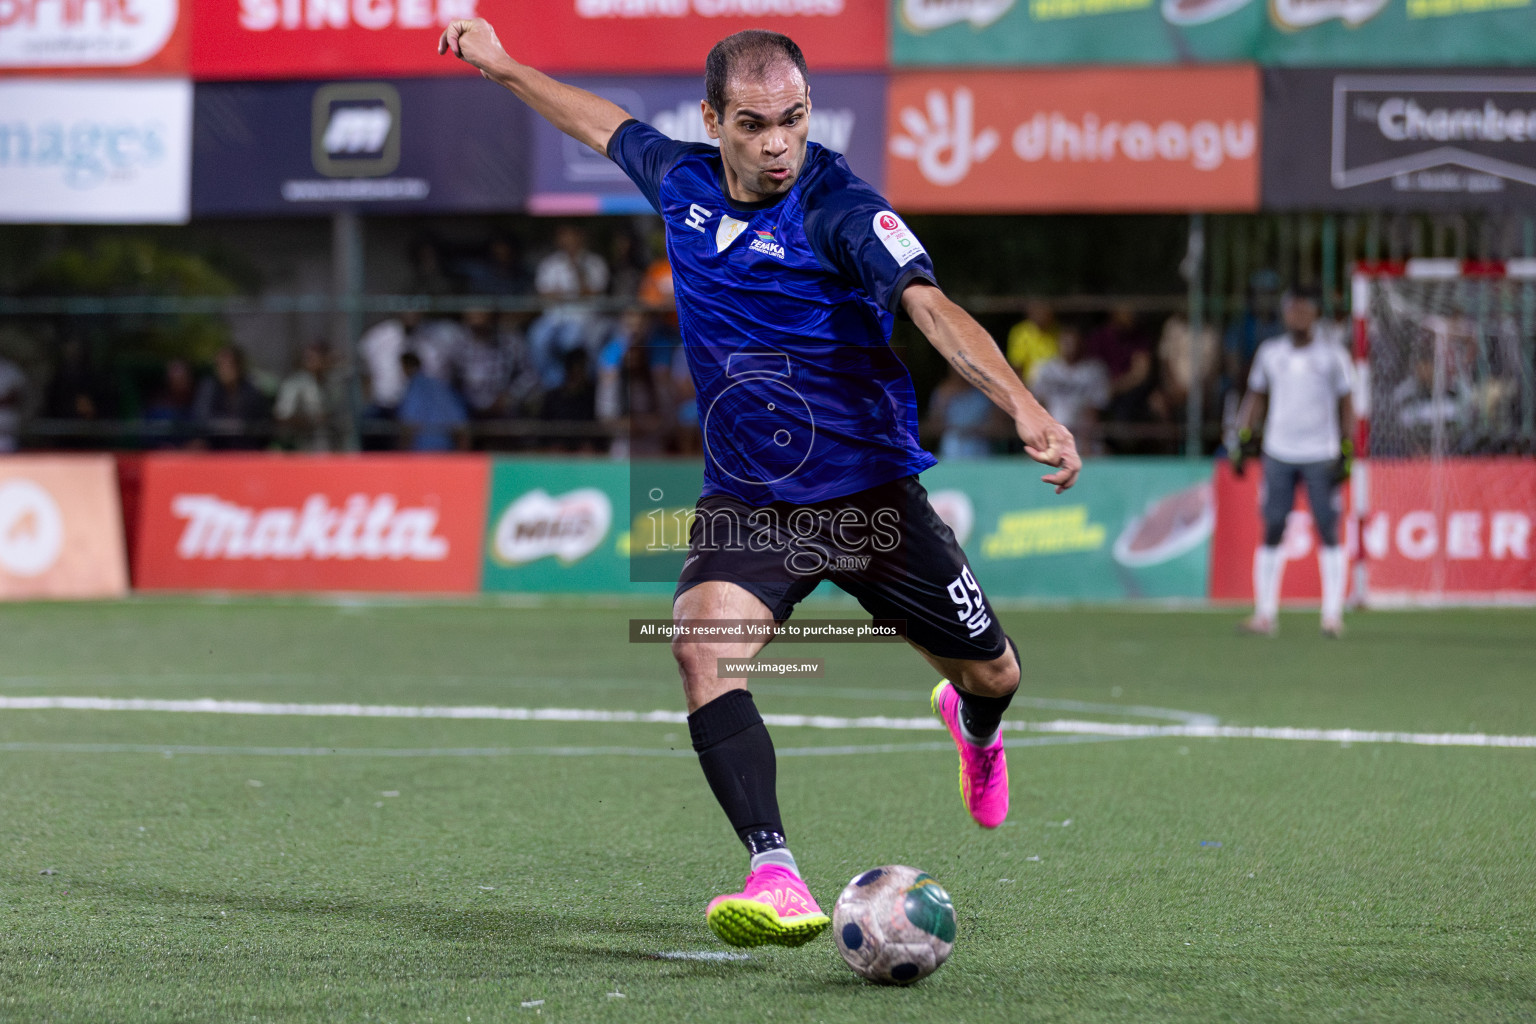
column 586, row 117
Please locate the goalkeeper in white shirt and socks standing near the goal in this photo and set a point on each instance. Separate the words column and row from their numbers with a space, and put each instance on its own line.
column 1300, row 389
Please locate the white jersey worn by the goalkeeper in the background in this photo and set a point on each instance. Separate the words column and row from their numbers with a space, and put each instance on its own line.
column 1305, row 386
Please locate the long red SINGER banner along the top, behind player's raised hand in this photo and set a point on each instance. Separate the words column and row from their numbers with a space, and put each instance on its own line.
column 348, row 39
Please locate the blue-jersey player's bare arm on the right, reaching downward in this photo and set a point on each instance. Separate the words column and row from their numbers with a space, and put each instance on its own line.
column 973, row 352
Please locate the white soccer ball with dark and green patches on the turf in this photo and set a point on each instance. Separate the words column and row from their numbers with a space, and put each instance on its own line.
column 895, row 925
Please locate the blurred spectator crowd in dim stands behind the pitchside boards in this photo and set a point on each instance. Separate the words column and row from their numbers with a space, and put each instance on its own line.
column 594, row 363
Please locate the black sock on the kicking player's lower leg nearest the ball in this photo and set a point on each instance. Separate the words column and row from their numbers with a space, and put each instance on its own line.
column 738, row 762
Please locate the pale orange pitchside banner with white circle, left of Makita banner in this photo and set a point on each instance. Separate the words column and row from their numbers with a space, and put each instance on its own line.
column 61, row 529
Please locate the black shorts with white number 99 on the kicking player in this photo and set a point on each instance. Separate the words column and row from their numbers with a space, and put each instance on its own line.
column 884, row 546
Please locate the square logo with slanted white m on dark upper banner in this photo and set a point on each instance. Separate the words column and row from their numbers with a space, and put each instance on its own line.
column 356, row 130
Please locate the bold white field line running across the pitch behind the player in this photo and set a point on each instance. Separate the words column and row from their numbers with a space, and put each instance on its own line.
column 783, row 721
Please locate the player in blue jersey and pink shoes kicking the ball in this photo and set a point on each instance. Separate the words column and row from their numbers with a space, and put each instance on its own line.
column 789, row 273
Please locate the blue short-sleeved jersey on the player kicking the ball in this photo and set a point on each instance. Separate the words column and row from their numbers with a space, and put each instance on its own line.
column 786, row 309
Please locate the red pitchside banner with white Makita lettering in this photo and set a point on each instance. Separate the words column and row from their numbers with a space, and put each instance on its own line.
column 408, row 524
